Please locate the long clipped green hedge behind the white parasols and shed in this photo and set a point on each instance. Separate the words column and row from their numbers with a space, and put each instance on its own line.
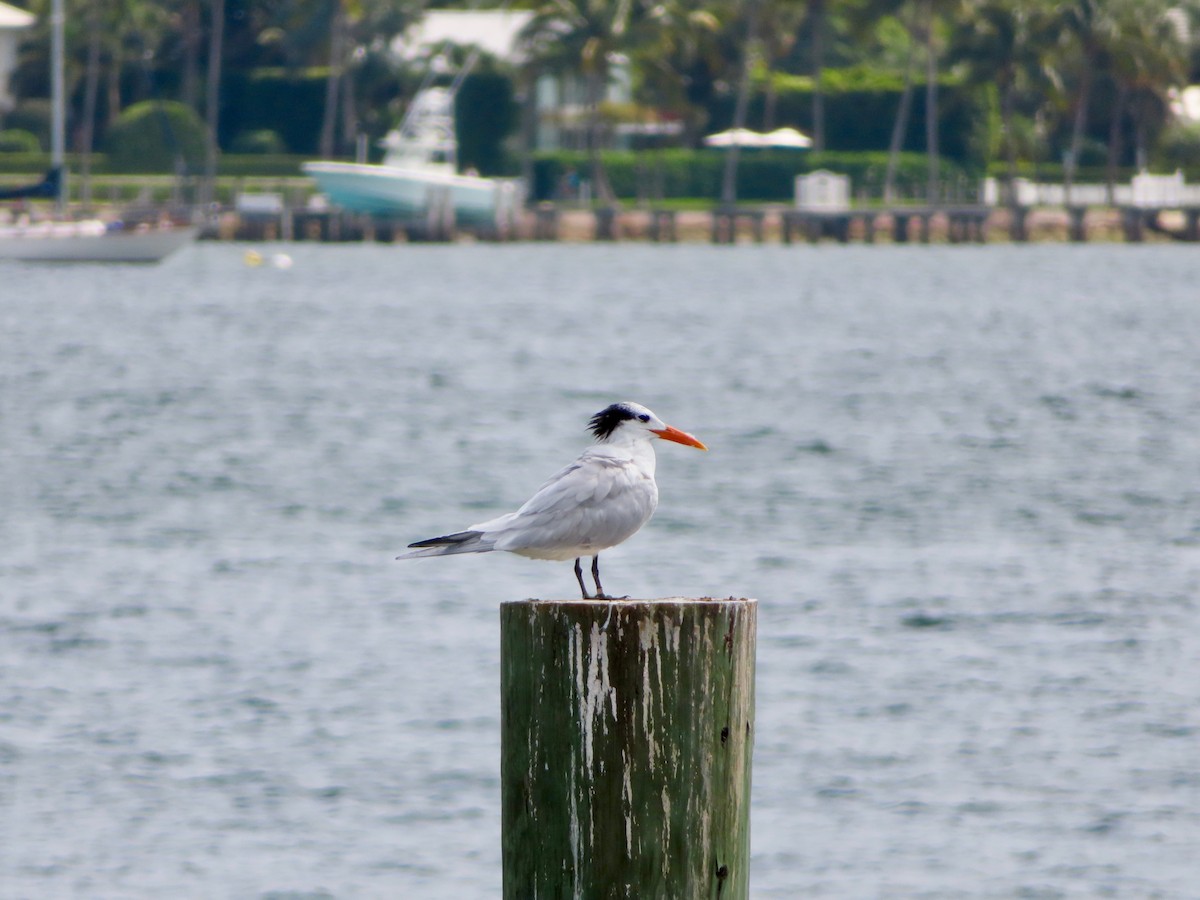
column 763, row 175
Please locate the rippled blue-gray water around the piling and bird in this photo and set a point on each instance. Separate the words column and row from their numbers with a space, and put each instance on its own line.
column 964, row 484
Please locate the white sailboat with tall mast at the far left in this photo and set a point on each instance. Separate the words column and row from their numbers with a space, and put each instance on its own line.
column 81, row 242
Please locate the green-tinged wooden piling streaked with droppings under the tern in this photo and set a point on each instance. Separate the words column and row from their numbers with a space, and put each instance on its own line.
column 627, row 737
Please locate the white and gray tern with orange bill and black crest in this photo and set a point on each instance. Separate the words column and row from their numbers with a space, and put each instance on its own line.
column 596, row 503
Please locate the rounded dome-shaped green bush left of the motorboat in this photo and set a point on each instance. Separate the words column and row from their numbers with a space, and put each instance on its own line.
column 157, row 136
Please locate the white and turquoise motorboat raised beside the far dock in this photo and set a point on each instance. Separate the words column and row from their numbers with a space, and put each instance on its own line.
column 418, row 178
